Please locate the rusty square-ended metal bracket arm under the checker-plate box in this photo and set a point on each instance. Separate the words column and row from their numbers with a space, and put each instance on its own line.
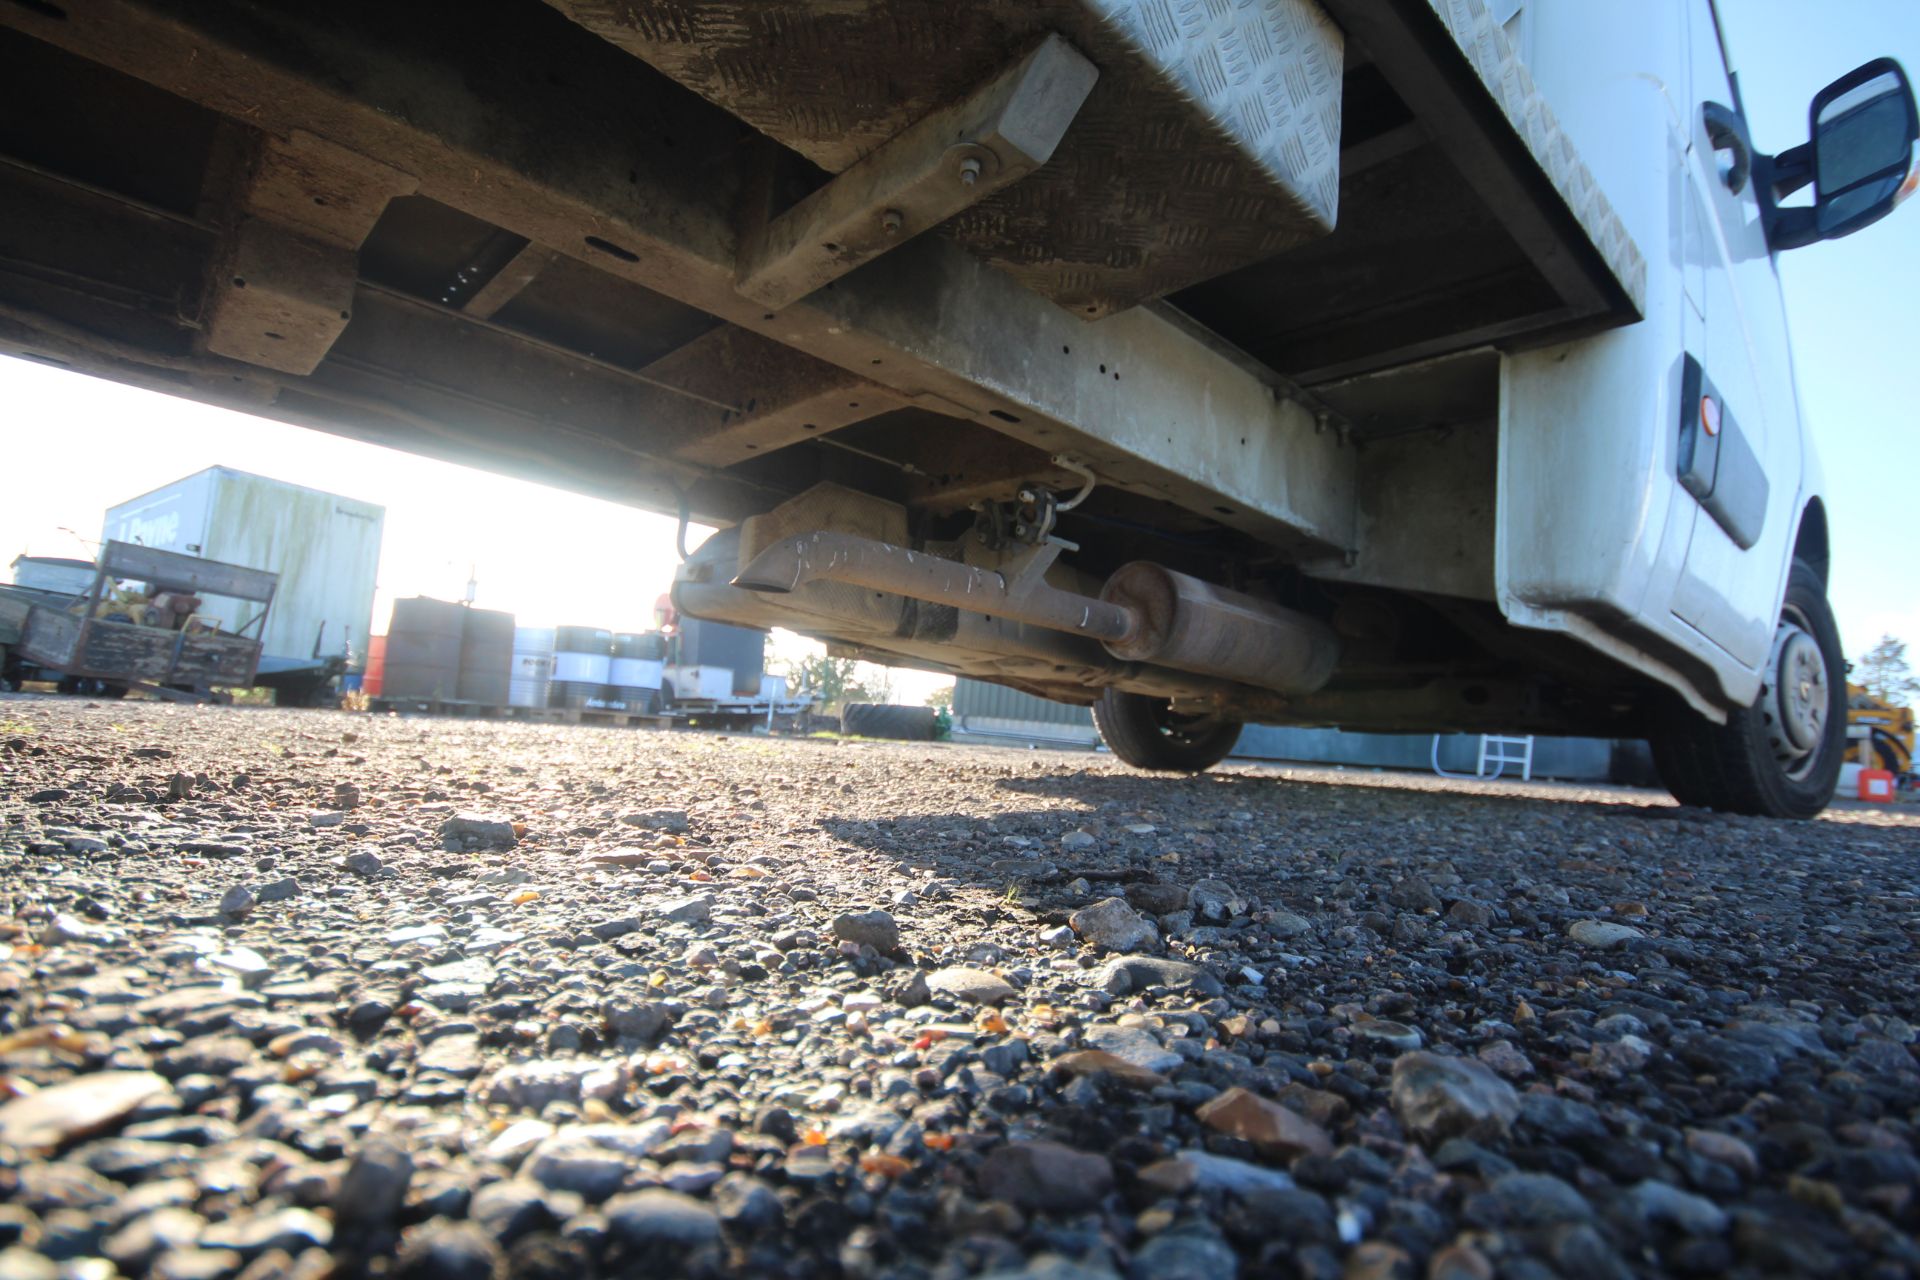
column 948, row 162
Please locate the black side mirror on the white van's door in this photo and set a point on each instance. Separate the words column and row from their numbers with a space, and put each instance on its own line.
column 1860, row 158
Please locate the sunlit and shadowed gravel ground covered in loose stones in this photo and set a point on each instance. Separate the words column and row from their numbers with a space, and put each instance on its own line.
column 308, row 993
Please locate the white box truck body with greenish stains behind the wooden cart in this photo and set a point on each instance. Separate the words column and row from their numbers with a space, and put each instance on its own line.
column 325, row 550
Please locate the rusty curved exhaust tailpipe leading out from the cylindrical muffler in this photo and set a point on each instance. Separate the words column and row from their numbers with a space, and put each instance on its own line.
column 882, row 567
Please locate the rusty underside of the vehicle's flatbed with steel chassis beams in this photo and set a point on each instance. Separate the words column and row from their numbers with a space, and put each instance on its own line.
column 1207, row 264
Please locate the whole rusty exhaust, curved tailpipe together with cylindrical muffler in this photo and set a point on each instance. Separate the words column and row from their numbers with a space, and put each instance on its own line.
column 1145, row 613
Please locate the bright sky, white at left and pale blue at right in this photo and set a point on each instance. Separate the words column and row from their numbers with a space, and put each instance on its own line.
column 556, row 557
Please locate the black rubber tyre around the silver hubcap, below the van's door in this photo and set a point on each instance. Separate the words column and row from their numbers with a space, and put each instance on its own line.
column 1739, row 767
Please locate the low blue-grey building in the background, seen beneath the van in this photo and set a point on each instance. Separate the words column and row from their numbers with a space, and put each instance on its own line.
column 992, row 713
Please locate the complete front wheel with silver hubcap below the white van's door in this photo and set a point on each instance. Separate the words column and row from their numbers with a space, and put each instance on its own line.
column 1783, row 755
